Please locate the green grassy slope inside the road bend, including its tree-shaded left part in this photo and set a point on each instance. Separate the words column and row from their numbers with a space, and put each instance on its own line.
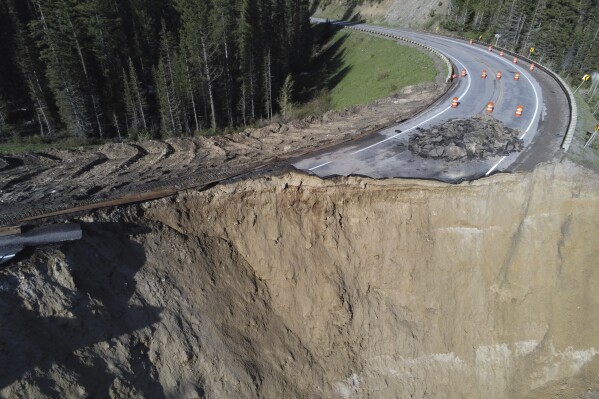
column 355, row 68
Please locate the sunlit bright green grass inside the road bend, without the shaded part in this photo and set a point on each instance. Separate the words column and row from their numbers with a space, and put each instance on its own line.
column 372, row 68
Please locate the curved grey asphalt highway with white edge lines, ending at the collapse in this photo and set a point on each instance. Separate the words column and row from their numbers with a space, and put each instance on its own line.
column 543, row 123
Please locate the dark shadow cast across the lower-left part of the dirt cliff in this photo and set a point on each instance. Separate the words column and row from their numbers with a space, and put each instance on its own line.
column 103, row 266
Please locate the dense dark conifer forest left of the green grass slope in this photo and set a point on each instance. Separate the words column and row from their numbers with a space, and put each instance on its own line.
column 101, row 68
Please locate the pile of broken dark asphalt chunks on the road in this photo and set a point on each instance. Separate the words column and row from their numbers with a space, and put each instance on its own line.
column 479, row 137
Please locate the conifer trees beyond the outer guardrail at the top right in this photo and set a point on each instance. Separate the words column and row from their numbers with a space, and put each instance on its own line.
column 564, row 33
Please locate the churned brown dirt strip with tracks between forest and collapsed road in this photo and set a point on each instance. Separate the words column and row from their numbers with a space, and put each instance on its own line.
column 34, row 183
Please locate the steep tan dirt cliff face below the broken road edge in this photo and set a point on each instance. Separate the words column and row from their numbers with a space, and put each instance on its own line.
column 292, row 286
